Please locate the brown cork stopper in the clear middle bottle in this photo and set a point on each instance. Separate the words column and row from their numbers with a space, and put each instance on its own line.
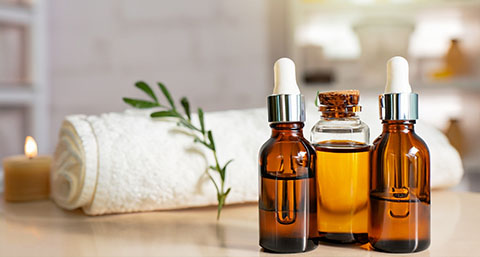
column 339, row 104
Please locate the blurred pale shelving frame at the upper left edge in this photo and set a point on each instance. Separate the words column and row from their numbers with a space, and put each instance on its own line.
column 34, row 94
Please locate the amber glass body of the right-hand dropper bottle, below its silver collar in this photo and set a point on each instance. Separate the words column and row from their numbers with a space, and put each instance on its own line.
column 400, row 190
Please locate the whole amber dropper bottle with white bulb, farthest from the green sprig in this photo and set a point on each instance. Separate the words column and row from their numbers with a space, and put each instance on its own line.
column 399, row 214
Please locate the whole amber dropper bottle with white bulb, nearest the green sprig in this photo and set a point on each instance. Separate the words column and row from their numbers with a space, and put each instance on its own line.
column 287, row 207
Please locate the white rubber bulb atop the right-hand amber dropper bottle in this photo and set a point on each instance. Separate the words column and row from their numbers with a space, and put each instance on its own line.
column 397, row 76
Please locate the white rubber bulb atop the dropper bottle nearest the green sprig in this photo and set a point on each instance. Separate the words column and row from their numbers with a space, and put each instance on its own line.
column 285, row 81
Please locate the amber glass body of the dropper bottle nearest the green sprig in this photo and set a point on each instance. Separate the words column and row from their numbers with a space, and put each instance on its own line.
column 287, row 190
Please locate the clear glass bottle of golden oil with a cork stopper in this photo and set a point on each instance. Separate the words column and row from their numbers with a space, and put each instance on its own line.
column 341, row 142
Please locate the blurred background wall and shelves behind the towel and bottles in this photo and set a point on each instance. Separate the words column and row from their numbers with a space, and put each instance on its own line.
column 80, row 57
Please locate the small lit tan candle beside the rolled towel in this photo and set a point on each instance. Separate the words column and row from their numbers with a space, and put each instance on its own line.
column 26, row 177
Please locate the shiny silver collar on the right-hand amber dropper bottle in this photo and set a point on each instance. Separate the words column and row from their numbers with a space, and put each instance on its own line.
column 399, row 106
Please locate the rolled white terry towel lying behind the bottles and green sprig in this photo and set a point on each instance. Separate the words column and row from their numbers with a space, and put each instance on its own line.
column 127, row 162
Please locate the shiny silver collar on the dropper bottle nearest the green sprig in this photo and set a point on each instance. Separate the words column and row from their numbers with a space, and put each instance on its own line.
column 286, row 108
